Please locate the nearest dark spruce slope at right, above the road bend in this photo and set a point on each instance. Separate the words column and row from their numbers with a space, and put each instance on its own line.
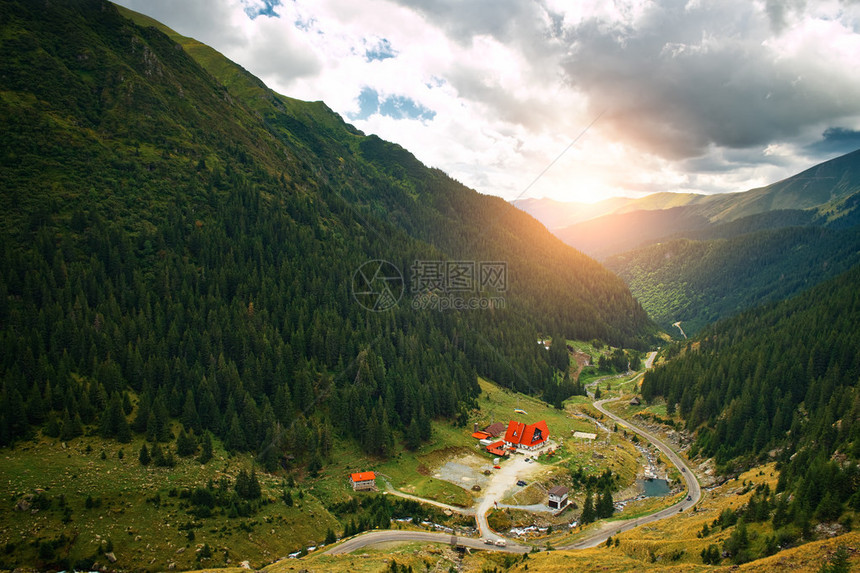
column 779, row 381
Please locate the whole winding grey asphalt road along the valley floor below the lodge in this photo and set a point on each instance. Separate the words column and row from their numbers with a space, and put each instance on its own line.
column 594, row 538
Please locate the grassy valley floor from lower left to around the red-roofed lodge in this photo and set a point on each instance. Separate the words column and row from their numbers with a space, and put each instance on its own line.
column 140, row 516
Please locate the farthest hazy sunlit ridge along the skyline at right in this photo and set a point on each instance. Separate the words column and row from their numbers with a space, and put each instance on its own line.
column 822, row 194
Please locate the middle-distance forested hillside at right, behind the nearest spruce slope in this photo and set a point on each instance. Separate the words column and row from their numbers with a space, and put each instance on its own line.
column 700, row 282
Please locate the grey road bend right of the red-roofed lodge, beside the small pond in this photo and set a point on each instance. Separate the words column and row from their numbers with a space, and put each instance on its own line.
column 614, row 527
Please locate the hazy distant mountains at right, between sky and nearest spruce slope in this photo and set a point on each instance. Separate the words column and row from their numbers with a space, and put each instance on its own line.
column 699, row 258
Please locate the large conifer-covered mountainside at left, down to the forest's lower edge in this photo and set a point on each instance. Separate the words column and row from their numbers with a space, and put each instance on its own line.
column 179, row 242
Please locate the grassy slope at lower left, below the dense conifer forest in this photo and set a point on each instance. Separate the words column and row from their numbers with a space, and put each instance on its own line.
column 136, row 512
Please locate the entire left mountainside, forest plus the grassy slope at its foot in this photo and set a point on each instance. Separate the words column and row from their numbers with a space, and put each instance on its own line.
column 180, row 250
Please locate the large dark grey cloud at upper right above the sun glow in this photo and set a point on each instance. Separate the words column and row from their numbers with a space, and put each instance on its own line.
column 682, row 78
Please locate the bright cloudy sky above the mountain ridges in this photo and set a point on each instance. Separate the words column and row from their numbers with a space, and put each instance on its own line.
column 575, row 100
